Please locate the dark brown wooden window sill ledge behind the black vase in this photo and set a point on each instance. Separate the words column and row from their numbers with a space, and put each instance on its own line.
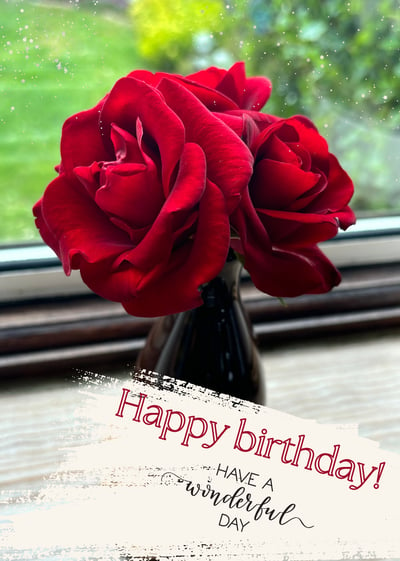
column 62, row 333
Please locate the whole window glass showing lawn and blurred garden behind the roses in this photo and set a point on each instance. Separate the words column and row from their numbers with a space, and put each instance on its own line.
column 337, row 62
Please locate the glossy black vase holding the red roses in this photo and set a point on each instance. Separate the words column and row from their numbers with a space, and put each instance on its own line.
column 212, row 345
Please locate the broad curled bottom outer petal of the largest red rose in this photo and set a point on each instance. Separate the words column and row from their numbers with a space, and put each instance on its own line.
column 174, row 287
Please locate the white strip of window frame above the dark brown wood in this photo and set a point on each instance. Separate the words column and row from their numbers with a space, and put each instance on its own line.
column 32, row 271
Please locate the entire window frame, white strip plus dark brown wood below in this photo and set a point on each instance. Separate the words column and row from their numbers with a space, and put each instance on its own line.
column 52, row 324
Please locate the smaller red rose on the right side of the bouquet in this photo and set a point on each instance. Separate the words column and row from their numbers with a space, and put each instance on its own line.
column 297, row 197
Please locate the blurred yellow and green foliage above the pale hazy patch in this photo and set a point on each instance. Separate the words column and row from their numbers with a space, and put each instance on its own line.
column 345, row 51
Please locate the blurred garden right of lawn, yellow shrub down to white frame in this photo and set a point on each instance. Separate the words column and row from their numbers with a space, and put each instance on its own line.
column 336, row 62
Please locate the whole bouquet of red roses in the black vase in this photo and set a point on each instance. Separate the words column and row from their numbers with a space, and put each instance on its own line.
column 167, row 173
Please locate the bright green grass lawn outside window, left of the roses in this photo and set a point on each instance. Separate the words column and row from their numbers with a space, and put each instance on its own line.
column 56, row 59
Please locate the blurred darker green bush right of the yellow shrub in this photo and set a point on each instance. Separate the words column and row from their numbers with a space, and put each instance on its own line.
column 348, row 52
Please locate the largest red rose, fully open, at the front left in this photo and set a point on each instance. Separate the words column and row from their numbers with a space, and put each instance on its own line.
column 141, row 205
